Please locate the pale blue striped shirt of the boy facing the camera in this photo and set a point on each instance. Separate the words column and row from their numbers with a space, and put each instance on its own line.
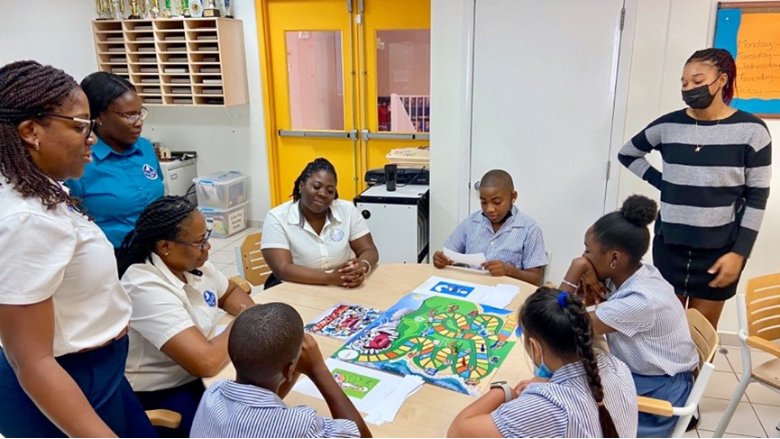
column 518, row 241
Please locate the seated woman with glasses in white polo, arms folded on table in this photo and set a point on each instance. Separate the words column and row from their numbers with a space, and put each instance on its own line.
column 178, row 298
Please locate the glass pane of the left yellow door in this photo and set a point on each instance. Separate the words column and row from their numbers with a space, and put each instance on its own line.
column 315, row 77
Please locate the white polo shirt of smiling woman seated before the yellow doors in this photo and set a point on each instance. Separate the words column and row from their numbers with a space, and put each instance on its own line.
column 284, row 227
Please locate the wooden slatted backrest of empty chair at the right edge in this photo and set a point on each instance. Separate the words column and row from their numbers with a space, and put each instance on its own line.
column 762, row 303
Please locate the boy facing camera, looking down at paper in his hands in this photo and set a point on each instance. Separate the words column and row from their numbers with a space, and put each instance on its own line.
column 511, row 241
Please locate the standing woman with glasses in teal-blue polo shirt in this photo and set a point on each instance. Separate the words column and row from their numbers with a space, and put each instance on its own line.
column 124, row 175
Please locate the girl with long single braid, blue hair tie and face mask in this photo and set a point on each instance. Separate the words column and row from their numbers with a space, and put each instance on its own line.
column 578, row 390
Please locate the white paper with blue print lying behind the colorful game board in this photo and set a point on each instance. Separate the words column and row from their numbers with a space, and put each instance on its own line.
column 498, row 296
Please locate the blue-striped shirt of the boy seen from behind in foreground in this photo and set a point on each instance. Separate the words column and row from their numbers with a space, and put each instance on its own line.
column 229, row 409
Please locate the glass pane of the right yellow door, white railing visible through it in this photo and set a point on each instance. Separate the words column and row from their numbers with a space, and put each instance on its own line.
column 403, row 80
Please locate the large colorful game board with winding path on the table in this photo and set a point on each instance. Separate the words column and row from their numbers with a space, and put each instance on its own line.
column 447, row 342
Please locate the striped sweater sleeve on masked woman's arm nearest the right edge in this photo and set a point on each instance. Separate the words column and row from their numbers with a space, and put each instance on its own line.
column 758, row 173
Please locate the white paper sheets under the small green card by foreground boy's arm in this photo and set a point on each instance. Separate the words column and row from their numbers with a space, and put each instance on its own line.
column 380, row 404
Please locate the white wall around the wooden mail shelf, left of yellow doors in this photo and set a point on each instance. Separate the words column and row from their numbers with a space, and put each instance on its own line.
column 59, row 32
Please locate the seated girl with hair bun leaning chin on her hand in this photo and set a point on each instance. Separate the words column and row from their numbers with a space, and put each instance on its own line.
column 643, row 321
